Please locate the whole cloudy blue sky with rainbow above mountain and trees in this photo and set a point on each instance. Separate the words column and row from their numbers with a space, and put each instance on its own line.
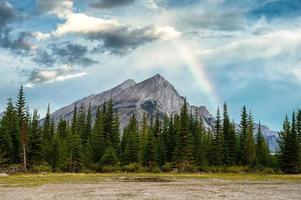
column 243, row 52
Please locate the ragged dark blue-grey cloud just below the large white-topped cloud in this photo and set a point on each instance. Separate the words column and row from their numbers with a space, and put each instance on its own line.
column 65, row 53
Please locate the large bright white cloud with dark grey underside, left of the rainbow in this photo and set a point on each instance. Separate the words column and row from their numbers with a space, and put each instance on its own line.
column 113, row 37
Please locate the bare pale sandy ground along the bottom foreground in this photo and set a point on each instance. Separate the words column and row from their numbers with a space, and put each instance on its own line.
column 176, row 189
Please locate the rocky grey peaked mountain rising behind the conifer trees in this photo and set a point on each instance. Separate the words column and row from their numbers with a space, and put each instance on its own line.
column 150, row 96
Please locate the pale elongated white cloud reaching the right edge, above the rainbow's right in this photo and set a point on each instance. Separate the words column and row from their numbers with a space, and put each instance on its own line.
column 253, row 47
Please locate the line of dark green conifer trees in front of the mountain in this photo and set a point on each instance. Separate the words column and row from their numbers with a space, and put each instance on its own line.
column 158, row 143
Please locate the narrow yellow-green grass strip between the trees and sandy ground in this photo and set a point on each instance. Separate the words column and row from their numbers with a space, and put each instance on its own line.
column 31, row 180
